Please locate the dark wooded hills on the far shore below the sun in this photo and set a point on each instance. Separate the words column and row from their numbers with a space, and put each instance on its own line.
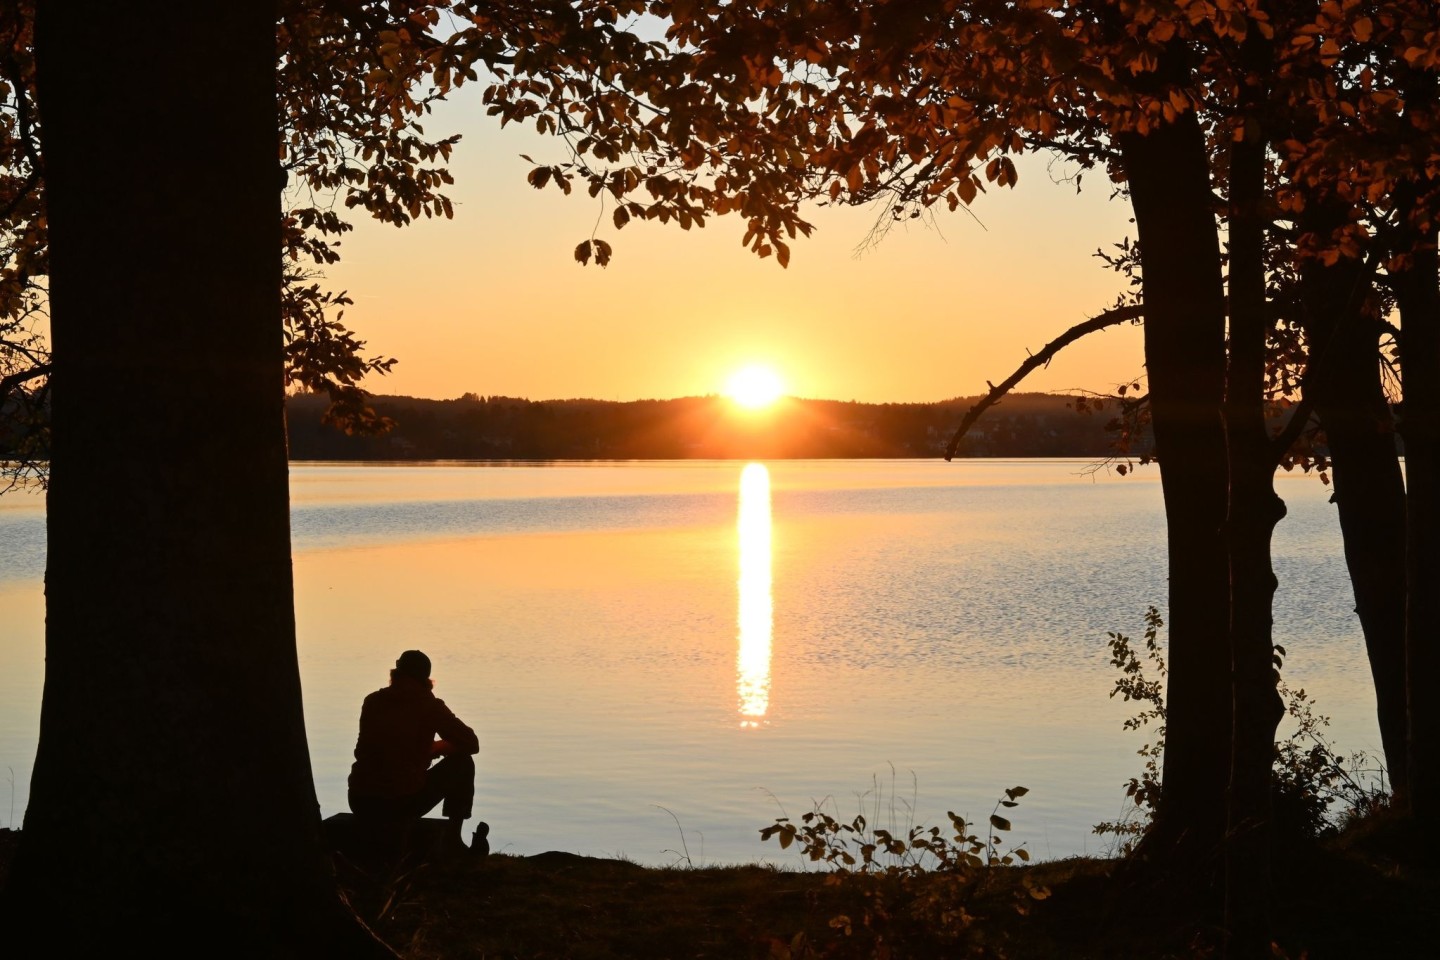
column 699, row 428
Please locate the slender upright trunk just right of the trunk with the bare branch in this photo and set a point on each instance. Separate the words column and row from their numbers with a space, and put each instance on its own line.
column 1254, row 513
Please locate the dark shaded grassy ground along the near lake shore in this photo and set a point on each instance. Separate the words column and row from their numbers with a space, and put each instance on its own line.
column 1353, row 899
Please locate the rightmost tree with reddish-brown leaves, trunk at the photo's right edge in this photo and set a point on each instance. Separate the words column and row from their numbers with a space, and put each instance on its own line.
column 1366, row 162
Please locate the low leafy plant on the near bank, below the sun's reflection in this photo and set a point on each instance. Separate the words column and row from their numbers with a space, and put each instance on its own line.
column 906, row 895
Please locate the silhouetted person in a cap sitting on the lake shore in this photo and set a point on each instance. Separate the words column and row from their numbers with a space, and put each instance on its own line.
column 402, row 729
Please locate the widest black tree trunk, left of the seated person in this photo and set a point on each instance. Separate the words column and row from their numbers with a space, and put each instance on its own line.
column 172, row 801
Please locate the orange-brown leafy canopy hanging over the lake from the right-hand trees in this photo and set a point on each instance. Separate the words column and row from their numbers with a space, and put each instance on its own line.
column 760, row 109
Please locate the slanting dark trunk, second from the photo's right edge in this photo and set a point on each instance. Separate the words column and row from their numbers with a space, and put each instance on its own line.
column 1370, row 492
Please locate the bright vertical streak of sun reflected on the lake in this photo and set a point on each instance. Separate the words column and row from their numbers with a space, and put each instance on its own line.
column 757, row 604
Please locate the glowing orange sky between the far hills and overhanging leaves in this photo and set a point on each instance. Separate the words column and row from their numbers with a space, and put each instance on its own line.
column 493, row 303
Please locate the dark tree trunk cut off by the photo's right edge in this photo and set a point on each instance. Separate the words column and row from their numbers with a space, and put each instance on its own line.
column 1419, row 300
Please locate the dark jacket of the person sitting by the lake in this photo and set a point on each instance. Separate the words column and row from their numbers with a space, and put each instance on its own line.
column 398, row 728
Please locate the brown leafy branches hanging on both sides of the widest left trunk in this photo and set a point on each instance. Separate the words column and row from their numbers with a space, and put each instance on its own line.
column 356, row 83
